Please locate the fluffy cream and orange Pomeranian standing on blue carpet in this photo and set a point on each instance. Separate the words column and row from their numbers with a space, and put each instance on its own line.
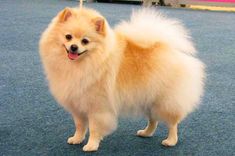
column 145, row 66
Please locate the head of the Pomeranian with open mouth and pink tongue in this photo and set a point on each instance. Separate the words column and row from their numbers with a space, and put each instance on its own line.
column 77, row 33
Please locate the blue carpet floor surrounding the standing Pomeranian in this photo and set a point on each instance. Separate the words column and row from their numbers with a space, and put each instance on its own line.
column 31, row 123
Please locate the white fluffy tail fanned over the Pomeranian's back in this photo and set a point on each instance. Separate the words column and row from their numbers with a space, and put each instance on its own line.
column 147, row 27
